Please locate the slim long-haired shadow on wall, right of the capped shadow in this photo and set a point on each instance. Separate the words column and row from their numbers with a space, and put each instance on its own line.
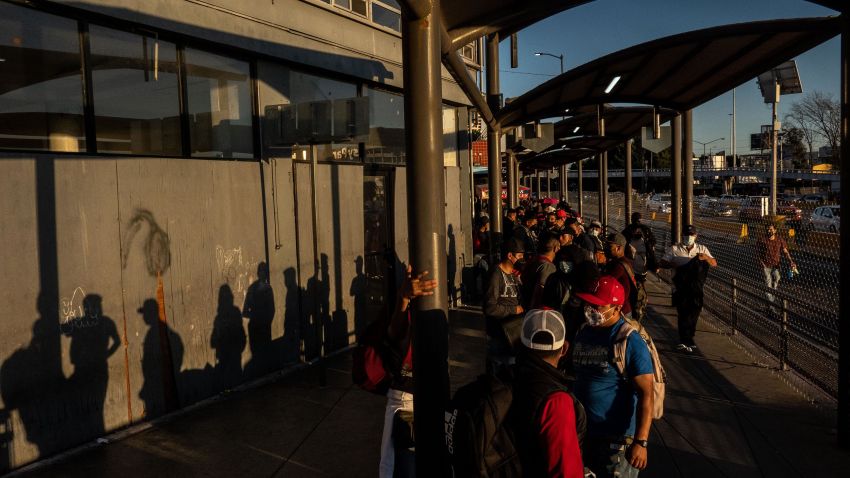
column 228, row 340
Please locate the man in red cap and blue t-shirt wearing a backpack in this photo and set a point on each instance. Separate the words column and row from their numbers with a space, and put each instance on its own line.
column 619, row 409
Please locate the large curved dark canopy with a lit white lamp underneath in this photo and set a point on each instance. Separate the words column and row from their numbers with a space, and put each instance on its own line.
column 678, row 72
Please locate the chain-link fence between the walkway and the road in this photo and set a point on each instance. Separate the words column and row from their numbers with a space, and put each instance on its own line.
column 795, row 325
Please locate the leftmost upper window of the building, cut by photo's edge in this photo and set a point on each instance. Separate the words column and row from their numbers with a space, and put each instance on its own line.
column 41, row 94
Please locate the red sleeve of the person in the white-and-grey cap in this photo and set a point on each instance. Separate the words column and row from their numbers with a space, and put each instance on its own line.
column 558, row 439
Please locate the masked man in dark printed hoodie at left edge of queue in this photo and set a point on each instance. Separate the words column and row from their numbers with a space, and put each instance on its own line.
column 502, row 309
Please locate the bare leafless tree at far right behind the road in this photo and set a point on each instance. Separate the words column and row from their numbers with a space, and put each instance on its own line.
column 818, row 117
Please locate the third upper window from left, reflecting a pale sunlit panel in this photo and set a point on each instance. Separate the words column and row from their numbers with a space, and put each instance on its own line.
column 219, row 92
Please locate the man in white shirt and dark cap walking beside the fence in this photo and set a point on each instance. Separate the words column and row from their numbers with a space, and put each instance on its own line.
column 690, row 262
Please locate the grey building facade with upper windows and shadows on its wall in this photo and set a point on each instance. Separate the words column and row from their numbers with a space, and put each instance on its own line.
column 196, row 194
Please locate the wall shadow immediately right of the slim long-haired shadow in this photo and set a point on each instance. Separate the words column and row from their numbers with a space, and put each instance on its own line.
column 259, row 310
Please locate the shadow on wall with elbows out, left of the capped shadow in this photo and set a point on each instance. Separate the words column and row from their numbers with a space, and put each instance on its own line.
column 94, row 338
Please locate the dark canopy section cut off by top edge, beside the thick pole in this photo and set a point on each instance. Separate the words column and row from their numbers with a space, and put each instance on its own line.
column 468, row 20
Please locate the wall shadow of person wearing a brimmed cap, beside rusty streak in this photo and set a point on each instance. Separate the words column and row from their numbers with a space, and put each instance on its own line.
column 159, row 376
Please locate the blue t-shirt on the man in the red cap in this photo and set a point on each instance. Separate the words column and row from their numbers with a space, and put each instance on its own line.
column 609, row 399
